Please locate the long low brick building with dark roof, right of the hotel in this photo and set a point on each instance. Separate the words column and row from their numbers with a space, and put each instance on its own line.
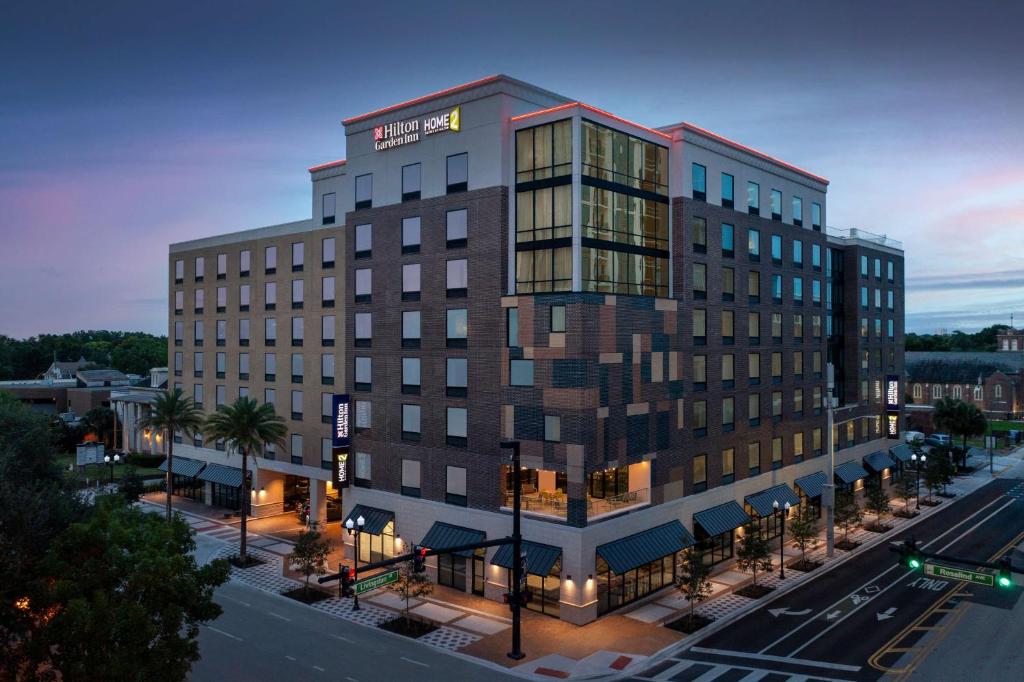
column 993, row 381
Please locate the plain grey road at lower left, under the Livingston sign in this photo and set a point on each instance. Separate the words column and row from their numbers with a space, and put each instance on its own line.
column 262, row 636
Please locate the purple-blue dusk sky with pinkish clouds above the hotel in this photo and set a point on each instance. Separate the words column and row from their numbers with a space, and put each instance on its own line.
column 125, row 126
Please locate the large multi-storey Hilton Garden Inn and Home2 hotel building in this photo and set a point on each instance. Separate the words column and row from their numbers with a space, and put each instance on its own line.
column 650, row 312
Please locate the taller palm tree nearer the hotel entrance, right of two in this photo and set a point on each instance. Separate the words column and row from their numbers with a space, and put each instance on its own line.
column 247, row 428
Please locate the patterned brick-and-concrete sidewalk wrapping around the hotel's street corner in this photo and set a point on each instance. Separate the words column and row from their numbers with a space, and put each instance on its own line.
column 480, row 628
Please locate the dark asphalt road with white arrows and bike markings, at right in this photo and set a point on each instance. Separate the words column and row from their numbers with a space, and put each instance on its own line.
column 867, row 617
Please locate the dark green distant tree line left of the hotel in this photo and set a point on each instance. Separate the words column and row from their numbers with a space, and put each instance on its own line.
column 132, row 353
